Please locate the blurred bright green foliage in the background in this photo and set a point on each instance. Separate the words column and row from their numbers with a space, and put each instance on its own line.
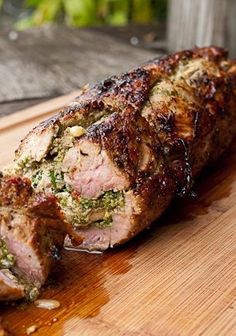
column 81, row 13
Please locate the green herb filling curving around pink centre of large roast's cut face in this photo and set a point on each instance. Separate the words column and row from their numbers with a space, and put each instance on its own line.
column 47, row 176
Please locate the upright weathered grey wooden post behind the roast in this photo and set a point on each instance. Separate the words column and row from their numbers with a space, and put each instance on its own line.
column 201, row 23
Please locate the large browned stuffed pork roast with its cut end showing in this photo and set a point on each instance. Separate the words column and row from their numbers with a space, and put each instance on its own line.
column 118, row 154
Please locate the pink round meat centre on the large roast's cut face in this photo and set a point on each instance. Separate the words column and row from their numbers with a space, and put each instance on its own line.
column 90, row 172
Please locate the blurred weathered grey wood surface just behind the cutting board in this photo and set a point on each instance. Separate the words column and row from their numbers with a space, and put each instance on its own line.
column 52, row 60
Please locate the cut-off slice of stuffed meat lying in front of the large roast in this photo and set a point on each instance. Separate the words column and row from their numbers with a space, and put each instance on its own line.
column 32, row 232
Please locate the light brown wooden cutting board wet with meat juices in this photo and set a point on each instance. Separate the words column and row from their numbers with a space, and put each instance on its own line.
column 178, row 278
